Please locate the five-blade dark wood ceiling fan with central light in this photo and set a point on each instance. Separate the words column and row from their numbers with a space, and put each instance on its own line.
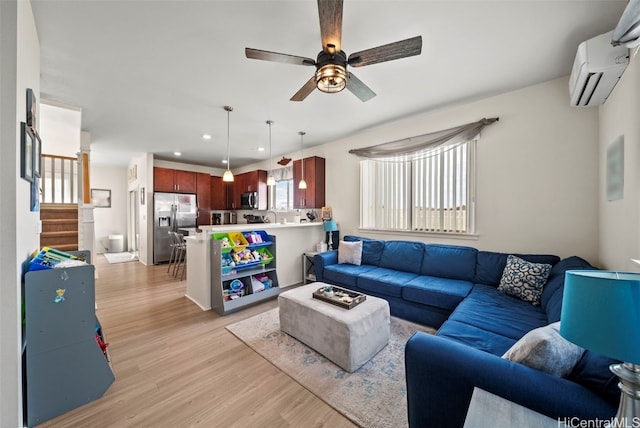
column 331, row 64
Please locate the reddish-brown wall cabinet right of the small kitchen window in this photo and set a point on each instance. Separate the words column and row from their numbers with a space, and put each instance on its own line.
column 314, row 174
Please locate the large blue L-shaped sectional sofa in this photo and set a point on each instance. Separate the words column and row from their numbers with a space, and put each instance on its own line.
column 455, row 289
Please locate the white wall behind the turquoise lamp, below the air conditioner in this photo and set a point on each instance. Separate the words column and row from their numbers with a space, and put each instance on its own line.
column 620, row 220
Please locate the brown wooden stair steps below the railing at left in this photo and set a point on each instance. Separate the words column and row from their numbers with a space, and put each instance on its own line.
column 59, row 226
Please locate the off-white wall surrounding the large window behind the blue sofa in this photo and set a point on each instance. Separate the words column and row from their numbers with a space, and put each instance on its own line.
column 537, row 174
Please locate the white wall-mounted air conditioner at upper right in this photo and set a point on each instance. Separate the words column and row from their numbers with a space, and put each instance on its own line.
column 596, row 70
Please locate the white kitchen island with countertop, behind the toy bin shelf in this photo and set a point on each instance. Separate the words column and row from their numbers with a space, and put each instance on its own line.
column 293, row 239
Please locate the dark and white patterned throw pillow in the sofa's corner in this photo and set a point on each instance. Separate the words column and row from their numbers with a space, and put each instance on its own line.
column 524, row 279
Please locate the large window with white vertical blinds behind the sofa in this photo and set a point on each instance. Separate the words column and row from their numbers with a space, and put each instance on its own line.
column 429, row 194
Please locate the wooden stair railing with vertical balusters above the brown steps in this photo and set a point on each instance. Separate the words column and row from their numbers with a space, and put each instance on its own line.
column 59, row 180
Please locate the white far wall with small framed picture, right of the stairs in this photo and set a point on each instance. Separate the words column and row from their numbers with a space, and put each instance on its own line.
column 113, row 220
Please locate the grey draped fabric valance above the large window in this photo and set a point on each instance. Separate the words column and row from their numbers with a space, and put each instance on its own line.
column 425, row 145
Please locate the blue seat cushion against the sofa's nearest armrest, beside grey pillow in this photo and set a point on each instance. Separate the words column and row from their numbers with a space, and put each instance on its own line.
column 476, row 337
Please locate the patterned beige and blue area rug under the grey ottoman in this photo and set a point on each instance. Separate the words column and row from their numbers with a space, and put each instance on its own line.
column 372, row 396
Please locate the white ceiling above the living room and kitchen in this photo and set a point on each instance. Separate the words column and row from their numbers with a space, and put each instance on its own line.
column 153, row 76
